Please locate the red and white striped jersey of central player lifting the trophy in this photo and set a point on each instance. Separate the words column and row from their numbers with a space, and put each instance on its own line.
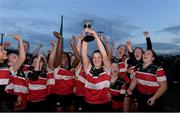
column 97, row 88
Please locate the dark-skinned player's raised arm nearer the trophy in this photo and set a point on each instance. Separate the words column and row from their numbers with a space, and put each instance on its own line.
column 76, row 54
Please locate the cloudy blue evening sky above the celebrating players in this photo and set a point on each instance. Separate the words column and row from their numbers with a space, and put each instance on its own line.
column 120, row 20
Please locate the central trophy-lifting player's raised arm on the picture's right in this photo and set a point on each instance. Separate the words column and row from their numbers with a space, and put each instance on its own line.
column 106, row 60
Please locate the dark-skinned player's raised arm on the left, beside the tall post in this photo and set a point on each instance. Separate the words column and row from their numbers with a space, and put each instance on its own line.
column 59, row 49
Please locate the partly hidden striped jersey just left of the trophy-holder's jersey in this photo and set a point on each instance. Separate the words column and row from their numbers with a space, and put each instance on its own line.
column 80, row 81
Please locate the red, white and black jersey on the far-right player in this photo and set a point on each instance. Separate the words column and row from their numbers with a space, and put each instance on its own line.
column 148, row 78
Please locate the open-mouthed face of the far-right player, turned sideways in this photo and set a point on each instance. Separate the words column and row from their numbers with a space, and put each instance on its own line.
column 148, row 56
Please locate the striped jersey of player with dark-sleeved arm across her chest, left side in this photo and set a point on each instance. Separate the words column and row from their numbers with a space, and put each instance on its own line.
column 37, row 89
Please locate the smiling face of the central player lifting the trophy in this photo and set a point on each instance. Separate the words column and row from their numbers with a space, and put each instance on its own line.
column 97, row 59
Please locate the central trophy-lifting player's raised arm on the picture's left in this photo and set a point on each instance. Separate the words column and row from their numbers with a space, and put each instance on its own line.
column 85, row 58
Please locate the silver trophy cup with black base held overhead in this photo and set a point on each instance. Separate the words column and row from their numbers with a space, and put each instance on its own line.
column 87, row 36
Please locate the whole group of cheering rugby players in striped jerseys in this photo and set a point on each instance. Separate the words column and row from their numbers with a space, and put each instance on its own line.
column 75, row 81
